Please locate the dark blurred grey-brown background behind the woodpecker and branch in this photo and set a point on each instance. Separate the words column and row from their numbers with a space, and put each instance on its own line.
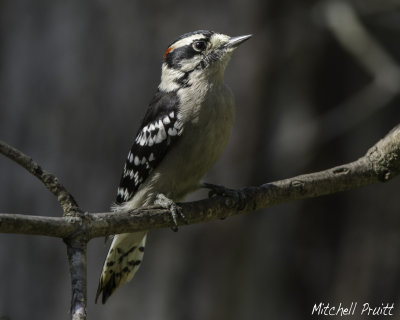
column 316, row 86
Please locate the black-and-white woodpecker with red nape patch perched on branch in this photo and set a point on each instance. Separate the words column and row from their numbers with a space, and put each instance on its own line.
column 185, row 129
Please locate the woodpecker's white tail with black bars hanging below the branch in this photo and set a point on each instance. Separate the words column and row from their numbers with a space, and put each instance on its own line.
column 122, row 262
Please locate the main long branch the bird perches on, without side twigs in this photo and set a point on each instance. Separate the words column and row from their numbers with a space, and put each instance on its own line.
column 379, row 164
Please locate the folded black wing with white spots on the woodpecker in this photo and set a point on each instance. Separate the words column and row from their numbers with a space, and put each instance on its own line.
column 160, row 129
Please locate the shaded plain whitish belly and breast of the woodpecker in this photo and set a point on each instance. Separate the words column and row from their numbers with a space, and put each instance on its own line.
column 203, row 140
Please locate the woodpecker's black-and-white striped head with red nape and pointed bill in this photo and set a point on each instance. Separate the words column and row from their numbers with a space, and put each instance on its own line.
column 199, row 55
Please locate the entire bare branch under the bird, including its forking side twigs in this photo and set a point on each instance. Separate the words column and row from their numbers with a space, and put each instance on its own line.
column 380, row 164
